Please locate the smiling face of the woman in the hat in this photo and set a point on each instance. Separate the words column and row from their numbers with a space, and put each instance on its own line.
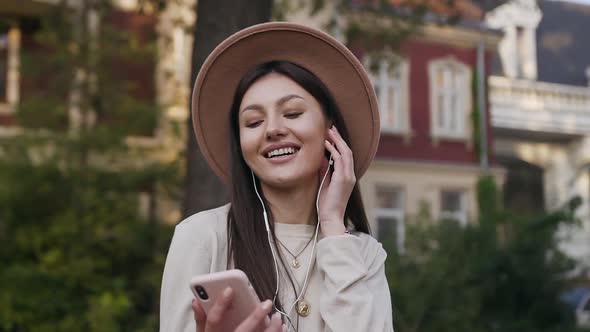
column 282, row 132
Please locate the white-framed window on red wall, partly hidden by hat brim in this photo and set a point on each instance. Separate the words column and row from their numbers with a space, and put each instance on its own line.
column 390, row 80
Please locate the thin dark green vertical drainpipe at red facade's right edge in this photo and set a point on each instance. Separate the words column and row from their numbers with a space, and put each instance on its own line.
column 483, row 130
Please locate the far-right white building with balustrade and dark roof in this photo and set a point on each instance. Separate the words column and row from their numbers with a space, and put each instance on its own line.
column 540, row 101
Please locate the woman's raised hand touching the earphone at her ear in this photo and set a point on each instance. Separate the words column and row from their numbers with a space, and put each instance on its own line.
column 338, row 185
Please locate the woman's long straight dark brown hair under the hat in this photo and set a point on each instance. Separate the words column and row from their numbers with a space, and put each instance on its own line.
column 247, row 237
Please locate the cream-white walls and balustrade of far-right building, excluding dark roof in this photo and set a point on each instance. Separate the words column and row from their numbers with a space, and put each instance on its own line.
column 542, row 111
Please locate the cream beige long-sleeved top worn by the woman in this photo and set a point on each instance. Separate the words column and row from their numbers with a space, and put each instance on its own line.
column 347, row 289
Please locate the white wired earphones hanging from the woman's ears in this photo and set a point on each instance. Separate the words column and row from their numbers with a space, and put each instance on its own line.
column 273, row 247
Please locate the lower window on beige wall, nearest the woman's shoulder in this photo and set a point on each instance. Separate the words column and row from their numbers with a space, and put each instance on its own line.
column 389, row 216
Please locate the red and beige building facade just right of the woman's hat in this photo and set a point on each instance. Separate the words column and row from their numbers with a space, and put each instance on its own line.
column 428, row 159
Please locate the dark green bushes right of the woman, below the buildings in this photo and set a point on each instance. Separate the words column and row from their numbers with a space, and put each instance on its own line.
column 500, row 274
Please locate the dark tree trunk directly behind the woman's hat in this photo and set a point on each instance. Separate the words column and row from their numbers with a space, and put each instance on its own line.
column 216, row 20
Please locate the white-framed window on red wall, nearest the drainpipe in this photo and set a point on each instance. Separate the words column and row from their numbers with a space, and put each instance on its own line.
column 450, row 98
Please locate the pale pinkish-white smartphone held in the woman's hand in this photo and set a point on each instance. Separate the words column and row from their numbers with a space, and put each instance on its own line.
column 208, row 288
